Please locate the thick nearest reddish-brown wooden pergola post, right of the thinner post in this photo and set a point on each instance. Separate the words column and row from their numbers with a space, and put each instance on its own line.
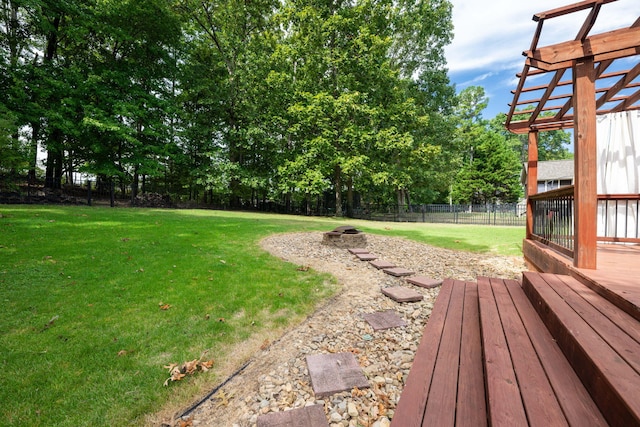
column 586, row 197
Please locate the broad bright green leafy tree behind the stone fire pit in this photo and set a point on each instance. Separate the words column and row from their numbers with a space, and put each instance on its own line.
column 355, row 118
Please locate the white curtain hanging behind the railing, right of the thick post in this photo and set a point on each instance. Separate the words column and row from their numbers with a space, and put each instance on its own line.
column 618, row 141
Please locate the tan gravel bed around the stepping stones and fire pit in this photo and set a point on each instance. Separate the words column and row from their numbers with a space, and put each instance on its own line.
column 277, row 379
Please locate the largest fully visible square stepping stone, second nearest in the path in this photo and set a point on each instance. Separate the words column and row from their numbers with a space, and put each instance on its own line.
column 333, row 373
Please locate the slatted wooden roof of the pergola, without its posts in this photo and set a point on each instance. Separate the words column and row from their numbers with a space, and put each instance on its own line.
column 604, row 49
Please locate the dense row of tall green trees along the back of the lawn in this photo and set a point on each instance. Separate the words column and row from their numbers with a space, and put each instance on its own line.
column 241, row 103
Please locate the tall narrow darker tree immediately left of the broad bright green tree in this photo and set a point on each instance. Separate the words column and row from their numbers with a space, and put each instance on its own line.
column 232, row 40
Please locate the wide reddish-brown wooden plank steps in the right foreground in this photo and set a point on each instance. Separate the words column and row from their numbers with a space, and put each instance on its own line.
column 549, row 352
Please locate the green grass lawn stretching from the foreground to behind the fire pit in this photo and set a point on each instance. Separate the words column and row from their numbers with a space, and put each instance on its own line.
column 83, row 339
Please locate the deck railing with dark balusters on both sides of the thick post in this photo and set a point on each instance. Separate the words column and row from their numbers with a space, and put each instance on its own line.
column 553, row 218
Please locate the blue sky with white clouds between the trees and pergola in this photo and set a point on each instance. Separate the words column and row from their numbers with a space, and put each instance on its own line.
column 490, row 36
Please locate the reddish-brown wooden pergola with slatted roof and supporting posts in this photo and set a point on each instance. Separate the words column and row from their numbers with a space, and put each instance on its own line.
column 577, row 87
